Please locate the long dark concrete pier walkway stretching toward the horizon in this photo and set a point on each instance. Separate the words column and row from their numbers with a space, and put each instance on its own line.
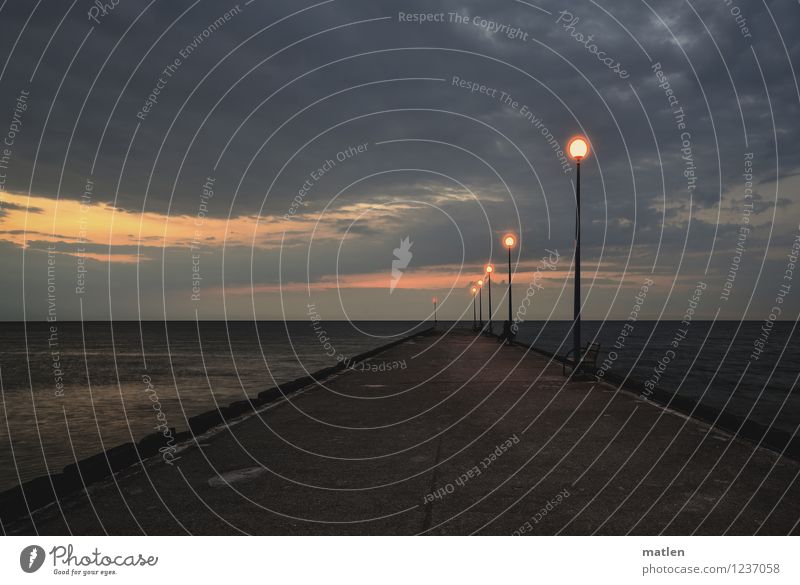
column 469, row 437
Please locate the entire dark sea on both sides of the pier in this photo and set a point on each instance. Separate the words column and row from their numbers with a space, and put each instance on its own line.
column 71, row 390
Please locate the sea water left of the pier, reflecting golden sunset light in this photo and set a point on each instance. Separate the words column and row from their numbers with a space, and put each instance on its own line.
column 85, row 388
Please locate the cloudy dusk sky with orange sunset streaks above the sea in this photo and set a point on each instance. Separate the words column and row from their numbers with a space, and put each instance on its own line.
column 267, row 160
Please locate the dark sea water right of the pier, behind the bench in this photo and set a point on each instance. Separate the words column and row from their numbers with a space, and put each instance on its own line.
column 709, row 362
